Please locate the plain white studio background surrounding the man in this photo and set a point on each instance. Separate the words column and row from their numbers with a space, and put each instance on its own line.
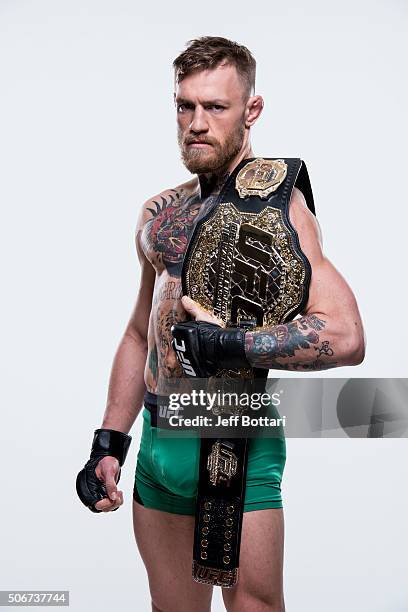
column 87, row 134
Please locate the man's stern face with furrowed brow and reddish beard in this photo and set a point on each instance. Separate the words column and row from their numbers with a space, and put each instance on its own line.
column 211, row 118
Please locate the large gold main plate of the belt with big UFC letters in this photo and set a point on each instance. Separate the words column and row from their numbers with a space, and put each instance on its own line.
column 244, row 266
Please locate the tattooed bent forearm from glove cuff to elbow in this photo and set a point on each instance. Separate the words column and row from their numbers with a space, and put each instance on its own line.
column 305, row 344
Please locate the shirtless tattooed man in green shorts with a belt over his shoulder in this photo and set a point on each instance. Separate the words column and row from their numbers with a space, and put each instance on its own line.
column 216, row 109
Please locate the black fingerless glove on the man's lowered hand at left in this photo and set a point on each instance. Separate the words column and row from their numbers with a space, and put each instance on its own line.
column 106, row 442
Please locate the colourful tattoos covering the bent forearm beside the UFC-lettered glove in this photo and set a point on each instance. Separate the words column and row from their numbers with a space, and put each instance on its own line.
column 264, row 348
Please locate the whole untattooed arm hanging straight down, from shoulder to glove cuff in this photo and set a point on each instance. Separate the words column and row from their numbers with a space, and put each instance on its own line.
column 126, row 385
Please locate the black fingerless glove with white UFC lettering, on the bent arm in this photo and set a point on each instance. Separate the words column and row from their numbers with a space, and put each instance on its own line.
column 203, row 349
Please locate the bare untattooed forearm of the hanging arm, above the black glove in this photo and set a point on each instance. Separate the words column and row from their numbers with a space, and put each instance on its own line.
column 126, row 385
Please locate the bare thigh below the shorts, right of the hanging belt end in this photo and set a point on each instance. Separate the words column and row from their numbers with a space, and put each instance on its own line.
column 260, row 582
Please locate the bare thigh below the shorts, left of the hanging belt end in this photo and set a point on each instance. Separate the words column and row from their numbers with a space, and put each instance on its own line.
column 165, row 542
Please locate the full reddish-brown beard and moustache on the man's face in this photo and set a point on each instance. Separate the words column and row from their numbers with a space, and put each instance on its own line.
column 211, row 159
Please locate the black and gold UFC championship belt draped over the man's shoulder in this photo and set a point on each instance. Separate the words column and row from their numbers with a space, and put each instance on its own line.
column 243, row 263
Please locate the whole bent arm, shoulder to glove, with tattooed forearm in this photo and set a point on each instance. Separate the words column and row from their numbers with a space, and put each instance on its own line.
column 330, row 332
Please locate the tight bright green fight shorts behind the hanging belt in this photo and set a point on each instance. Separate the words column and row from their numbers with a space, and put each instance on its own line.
column 167, row 471
